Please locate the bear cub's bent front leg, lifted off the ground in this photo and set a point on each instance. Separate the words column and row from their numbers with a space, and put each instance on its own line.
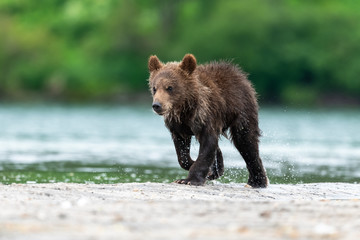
column 182, row 147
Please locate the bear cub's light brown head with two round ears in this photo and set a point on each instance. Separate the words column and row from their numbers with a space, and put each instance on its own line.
column 171, row 84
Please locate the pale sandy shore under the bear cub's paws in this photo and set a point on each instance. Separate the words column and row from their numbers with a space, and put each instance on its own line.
column 172, row 211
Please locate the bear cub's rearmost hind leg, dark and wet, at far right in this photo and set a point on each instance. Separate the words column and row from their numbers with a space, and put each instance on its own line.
column 247, row 143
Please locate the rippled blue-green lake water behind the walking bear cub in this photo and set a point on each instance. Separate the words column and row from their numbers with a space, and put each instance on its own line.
column 112, row 144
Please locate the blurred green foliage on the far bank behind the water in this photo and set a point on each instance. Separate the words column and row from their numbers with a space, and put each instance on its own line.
column 295, row 51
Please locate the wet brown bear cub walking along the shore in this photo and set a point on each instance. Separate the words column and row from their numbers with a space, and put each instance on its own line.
column 206, row 101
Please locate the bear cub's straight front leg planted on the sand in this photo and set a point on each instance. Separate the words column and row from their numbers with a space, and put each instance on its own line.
column 201, row 167
